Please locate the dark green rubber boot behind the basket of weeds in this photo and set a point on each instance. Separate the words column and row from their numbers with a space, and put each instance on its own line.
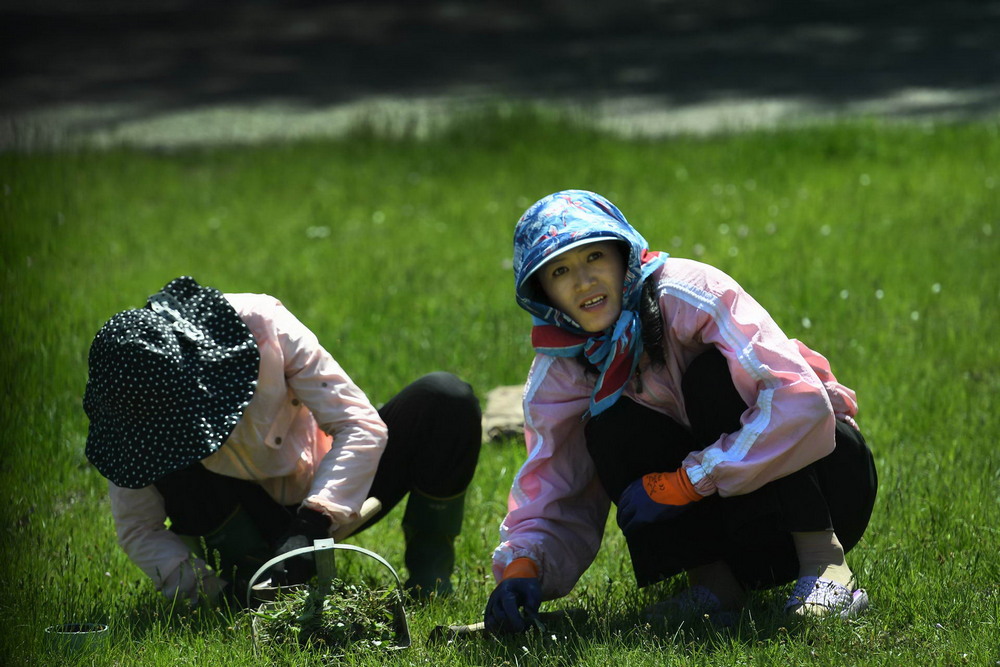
column 430, row 526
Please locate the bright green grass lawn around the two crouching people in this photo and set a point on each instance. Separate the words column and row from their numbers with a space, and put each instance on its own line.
column 876, row 244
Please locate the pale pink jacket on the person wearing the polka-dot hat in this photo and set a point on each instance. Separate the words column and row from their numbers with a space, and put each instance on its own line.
column 309, row 434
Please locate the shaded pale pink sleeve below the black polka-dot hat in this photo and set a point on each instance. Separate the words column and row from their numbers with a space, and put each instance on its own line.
column 139, row 523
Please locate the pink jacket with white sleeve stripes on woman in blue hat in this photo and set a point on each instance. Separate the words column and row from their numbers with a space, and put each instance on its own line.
column 557, row 508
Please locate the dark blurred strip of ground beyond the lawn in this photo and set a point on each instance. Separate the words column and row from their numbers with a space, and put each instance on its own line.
column 187, row 70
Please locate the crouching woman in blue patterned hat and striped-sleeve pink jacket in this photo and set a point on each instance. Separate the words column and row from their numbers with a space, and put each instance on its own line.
column 659, row 384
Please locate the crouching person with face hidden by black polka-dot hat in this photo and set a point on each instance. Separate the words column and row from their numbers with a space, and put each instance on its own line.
column 224, row 414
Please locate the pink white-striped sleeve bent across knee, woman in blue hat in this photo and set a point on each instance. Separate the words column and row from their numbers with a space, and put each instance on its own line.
column 790, row 420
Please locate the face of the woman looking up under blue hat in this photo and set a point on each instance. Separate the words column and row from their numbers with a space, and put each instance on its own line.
column 585, row 283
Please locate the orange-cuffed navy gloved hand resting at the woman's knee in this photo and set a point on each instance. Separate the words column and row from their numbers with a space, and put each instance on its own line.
column 658, row 496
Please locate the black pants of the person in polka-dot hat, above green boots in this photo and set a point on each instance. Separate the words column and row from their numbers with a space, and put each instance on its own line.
column 434, row 438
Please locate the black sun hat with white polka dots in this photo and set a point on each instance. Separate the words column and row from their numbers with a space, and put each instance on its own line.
column 168, row 383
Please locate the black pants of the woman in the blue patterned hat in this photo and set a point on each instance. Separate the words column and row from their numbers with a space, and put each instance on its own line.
column 751, row 532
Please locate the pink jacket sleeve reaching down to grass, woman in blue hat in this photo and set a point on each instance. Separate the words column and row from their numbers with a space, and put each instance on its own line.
column 557, row 508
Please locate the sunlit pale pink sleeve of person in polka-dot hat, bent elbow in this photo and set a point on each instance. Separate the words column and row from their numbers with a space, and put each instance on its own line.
column 344, row 475
